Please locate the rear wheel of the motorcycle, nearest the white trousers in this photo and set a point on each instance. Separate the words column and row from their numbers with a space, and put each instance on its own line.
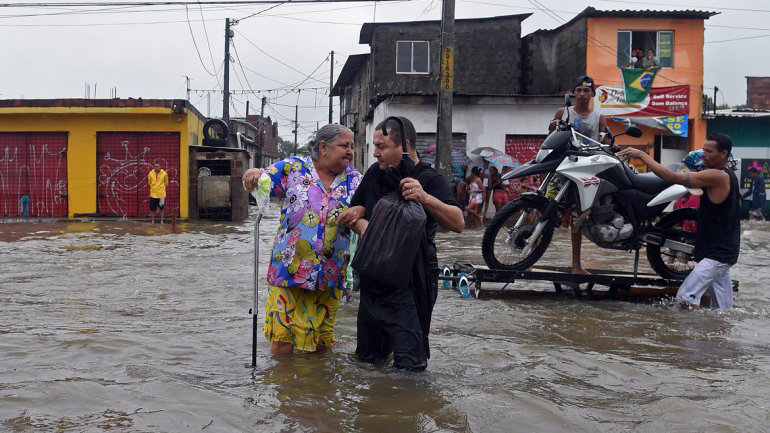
column 680, row 226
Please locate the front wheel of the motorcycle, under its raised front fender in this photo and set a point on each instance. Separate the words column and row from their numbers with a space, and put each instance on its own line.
column 504, row 243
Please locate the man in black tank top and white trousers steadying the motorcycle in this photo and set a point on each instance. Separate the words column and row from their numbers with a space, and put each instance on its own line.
column 718, row 237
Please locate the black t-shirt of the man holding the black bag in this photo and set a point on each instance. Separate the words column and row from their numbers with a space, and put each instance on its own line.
column 377, row 183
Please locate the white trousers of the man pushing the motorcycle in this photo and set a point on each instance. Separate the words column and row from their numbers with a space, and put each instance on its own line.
column 708, row 276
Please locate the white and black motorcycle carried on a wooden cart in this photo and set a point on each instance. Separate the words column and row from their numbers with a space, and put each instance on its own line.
column 615, row 207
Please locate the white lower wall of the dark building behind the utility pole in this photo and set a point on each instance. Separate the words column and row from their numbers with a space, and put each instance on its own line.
column 485, row 123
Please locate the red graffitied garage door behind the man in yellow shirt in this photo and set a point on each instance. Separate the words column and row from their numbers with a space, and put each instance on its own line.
column 123, row 161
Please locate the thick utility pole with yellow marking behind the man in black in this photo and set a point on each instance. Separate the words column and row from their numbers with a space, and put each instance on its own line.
column 445, row 91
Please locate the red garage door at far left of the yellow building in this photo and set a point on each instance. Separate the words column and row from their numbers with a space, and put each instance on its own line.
column 33, row 174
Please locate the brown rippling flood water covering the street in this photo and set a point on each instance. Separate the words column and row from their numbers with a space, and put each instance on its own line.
column 124, row 326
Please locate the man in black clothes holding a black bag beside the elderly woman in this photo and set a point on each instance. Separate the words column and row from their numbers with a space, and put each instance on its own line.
column 392, row 319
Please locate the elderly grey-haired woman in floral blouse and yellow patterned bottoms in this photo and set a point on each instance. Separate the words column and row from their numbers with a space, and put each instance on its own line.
column 310, row 252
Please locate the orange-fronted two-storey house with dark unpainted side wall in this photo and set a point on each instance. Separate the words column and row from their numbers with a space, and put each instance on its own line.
column 600, row 43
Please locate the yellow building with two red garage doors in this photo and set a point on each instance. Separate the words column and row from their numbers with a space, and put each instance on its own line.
column 68, row 157
